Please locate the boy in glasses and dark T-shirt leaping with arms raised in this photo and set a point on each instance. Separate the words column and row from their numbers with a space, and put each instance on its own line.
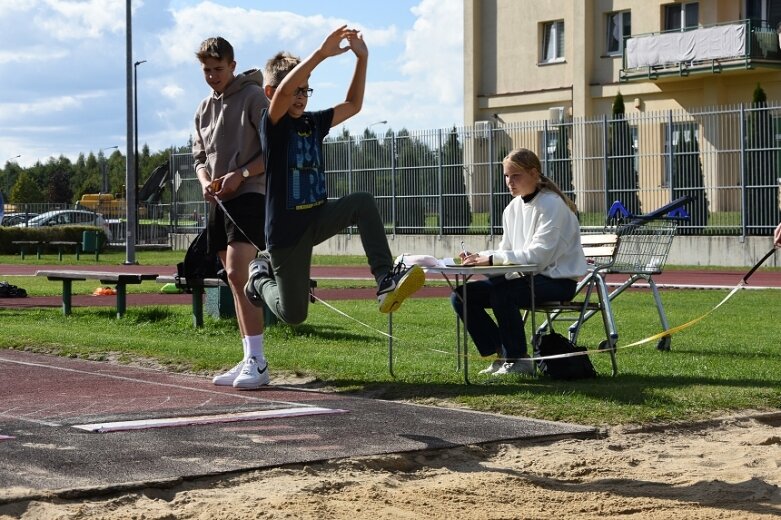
column 298, row 214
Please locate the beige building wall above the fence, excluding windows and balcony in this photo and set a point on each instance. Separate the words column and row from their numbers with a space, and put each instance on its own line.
column 504, row 76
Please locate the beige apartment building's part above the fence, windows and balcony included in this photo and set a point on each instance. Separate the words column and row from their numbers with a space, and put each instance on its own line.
column 527, row 60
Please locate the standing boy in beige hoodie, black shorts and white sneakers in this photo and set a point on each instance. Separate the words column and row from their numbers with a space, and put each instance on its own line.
column 229, row 164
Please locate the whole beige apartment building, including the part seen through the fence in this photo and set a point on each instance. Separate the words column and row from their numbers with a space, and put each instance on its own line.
column 563, row 62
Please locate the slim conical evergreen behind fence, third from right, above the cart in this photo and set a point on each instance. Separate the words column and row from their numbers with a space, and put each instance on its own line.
column 621, row 183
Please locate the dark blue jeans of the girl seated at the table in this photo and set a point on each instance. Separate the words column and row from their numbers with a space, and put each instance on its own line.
column 505, row 336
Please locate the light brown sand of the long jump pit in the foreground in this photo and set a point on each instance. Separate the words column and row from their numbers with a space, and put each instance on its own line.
column 727, row 468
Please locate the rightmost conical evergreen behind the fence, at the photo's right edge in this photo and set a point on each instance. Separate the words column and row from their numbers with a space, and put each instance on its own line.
column 761, row 186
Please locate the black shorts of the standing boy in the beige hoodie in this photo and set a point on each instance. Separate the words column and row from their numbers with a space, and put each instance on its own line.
column 247, row 218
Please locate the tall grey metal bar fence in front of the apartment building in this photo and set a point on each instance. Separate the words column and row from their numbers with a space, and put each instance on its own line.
column 450, row 181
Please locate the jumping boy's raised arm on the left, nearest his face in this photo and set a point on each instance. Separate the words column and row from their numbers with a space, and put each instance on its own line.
column 286, row 91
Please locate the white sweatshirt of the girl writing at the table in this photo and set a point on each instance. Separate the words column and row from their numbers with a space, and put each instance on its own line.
column 544, row 232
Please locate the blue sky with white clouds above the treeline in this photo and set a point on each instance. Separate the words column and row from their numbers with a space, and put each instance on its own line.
column 63, row 66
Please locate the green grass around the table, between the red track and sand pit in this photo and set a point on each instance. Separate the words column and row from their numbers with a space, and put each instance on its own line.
column 728, row 362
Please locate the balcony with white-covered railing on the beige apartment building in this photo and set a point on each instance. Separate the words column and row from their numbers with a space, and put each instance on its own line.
column 708, row 49
